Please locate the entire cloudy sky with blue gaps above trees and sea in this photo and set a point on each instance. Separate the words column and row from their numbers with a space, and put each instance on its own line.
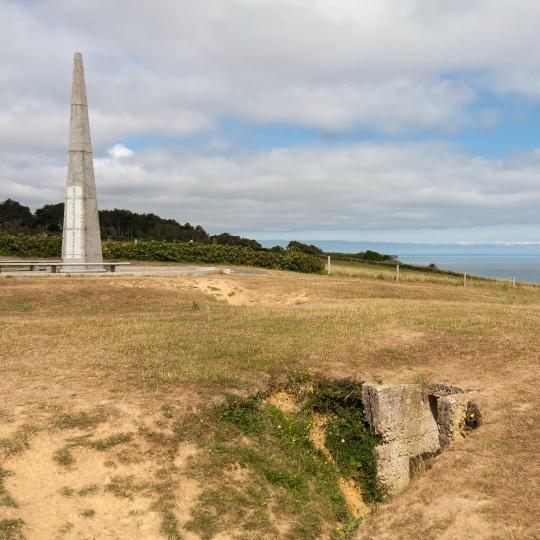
column 398, row 120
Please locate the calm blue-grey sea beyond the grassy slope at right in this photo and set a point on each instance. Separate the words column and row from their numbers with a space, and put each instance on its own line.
column 503, row 261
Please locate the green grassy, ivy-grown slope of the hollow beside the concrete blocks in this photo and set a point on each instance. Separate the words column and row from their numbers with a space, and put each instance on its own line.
column 271, row 454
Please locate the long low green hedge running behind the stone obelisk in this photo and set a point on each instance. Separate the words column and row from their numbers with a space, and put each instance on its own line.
column 186, row 252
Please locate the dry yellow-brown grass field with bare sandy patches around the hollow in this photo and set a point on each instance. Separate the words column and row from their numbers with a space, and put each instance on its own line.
column 109, row 388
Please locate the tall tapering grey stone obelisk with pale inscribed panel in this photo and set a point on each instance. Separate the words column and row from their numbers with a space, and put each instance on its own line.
column 81, row 240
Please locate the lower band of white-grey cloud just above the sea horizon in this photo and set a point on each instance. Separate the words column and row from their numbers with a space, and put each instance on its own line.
column 359, row 187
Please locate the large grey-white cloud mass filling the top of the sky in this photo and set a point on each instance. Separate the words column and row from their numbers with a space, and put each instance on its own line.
column 178, row 67
